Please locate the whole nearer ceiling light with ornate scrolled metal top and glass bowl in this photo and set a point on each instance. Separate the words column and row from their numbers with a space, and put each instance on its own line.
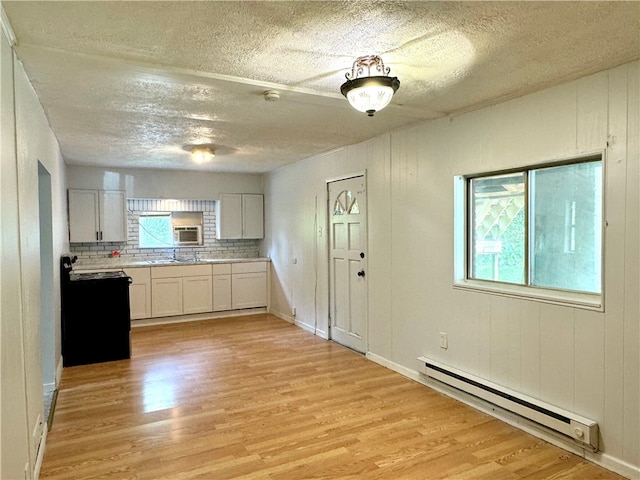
column 370, row 93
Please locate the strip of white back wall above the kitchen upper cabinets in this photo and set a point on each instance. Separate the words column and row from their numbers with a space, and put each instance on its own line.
column 163, row 184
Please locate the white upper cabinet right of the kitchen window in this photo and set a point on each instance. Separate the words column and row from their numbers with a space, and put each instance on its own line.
column 240, row 216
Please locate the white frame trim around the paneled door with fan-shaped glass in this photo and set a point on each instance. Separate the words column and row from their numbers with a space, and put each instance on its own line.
column 328, row 181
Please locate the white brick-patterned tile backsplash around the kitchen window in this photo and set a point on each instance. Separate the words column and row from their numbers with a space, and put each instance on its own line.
column 212, row 248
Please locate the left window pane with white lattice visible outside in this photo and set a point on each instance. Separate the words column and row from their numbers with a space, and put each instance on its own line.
column 498, row 228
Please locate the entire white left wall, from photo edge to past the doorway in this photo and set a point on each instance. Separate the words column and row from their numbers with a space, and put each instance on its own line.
column 26, row 140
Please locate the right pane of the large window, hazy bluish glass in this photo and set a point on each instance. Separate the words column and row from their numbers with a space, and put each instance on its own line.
column 566, row 237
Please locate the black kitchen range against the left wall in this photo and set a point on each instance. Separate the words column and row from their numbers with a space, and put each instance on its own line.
column 96, row 322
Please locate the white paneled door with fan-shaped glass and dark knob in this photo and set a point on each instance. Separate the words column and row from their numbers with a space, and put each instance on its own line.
column 347, row 256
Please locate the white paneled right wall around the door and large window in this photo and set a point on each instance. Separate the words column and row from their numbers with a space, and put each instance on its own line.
column 583, row 361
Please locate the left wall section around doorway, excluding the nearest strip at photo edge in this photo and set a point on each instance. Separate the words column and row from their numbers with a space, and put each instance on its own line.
column 36, row 143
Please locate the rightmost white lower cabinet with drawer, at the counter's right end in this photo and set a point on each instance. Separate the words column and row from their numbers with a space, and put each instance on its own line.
column 248, row 285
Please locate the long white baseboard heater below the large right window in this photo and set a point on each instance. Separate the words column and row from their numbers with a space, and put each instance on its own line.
column 580, row 429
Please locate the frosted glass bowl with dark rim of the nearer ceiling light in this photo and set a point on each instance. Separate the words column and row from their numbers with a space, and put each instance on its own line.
column 370, row 94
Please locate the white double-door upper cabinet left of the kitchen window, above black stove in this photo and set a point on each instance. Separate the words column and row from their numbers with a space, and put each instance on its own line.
column 97, row 216
